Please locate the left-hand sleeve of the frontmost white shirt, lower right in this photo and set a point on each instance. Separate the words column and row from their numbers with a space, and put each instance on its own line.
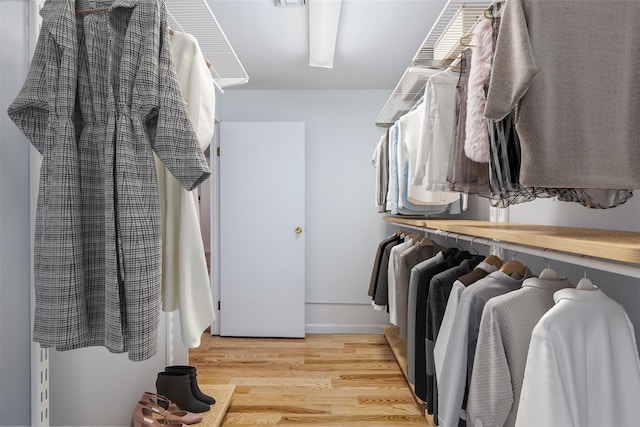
column 543, row 386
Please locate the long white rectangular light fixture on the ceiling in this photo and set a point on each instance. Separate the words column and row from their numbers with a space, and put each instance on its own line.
column 324, row 16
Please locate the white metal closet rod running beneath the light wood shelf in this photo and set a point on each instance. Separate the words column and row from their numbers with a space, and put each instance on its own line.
column 549, row 254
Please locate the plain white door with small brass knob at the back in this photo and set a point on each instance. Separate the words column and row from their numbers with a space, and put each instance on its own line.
column 262, row 230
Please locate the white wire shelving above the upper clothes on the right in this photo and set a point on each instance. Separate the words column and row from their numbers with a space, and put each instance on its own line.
column 441, row 46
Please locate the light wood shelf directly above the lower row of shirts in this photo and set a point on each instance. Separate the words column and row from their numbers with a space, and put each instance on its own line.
column 614, row 245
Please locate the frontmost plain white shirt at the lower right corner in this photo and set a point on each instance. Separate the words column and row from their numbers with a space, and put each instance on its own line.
column 582, row 366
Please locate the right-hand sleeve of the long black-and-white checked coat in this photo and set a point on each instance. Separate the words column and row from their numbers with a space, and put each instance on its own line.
column 168, row 125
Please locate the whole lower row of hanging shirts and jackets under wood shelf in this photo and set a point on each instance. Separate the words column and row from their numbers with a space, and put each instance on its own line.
column 491, row 344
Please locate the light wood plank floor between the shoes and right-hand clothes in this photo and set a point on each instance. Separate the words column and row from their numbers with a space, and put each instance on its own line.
column 321, row 380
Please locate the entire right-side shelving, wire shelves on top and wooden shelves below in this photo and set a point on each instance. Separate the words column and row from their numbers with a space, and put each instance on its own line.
column 606, row 250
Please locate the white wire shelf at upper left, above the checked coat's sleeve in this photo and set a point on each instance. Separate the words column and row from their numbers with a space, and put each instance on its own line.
column 195, row 17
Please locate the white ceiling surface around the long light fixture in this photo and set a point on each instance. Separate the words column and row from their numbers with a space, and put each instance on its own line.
column 377, row 39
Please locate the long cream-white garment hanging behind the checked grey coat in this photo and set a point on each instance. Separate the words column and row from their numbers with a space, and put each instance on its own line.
column 185, row 277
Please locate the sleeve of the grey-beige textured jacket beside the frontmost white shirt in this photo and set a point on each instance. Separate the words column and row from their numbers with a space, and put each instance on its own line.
column 490, row 393
